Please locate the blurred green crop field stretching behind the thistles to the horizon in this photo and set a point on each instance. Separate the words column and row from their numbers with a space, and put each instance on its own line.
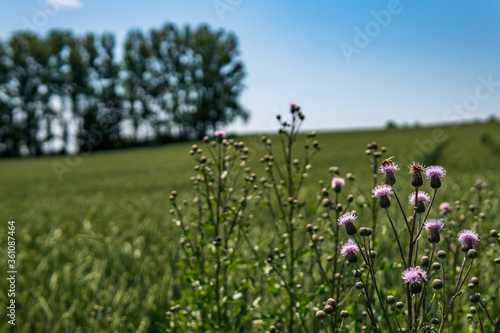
column 96, row 247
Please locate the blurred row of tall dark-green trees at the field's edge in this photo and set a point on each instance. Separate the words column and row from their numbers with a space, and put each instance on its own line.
column 59, row 91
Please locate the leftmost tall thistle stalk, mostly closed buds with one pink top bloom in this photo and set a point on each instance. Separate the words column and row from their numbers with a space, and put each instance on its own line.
column 212, row 234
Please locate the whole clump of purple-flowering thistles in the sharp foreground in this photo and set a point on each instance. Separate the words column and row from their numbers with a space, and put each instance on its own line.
column 322, row 259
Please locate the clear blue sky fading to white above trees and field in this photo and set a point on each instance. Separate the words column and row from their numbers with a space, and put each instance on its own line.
column 349, row 64
